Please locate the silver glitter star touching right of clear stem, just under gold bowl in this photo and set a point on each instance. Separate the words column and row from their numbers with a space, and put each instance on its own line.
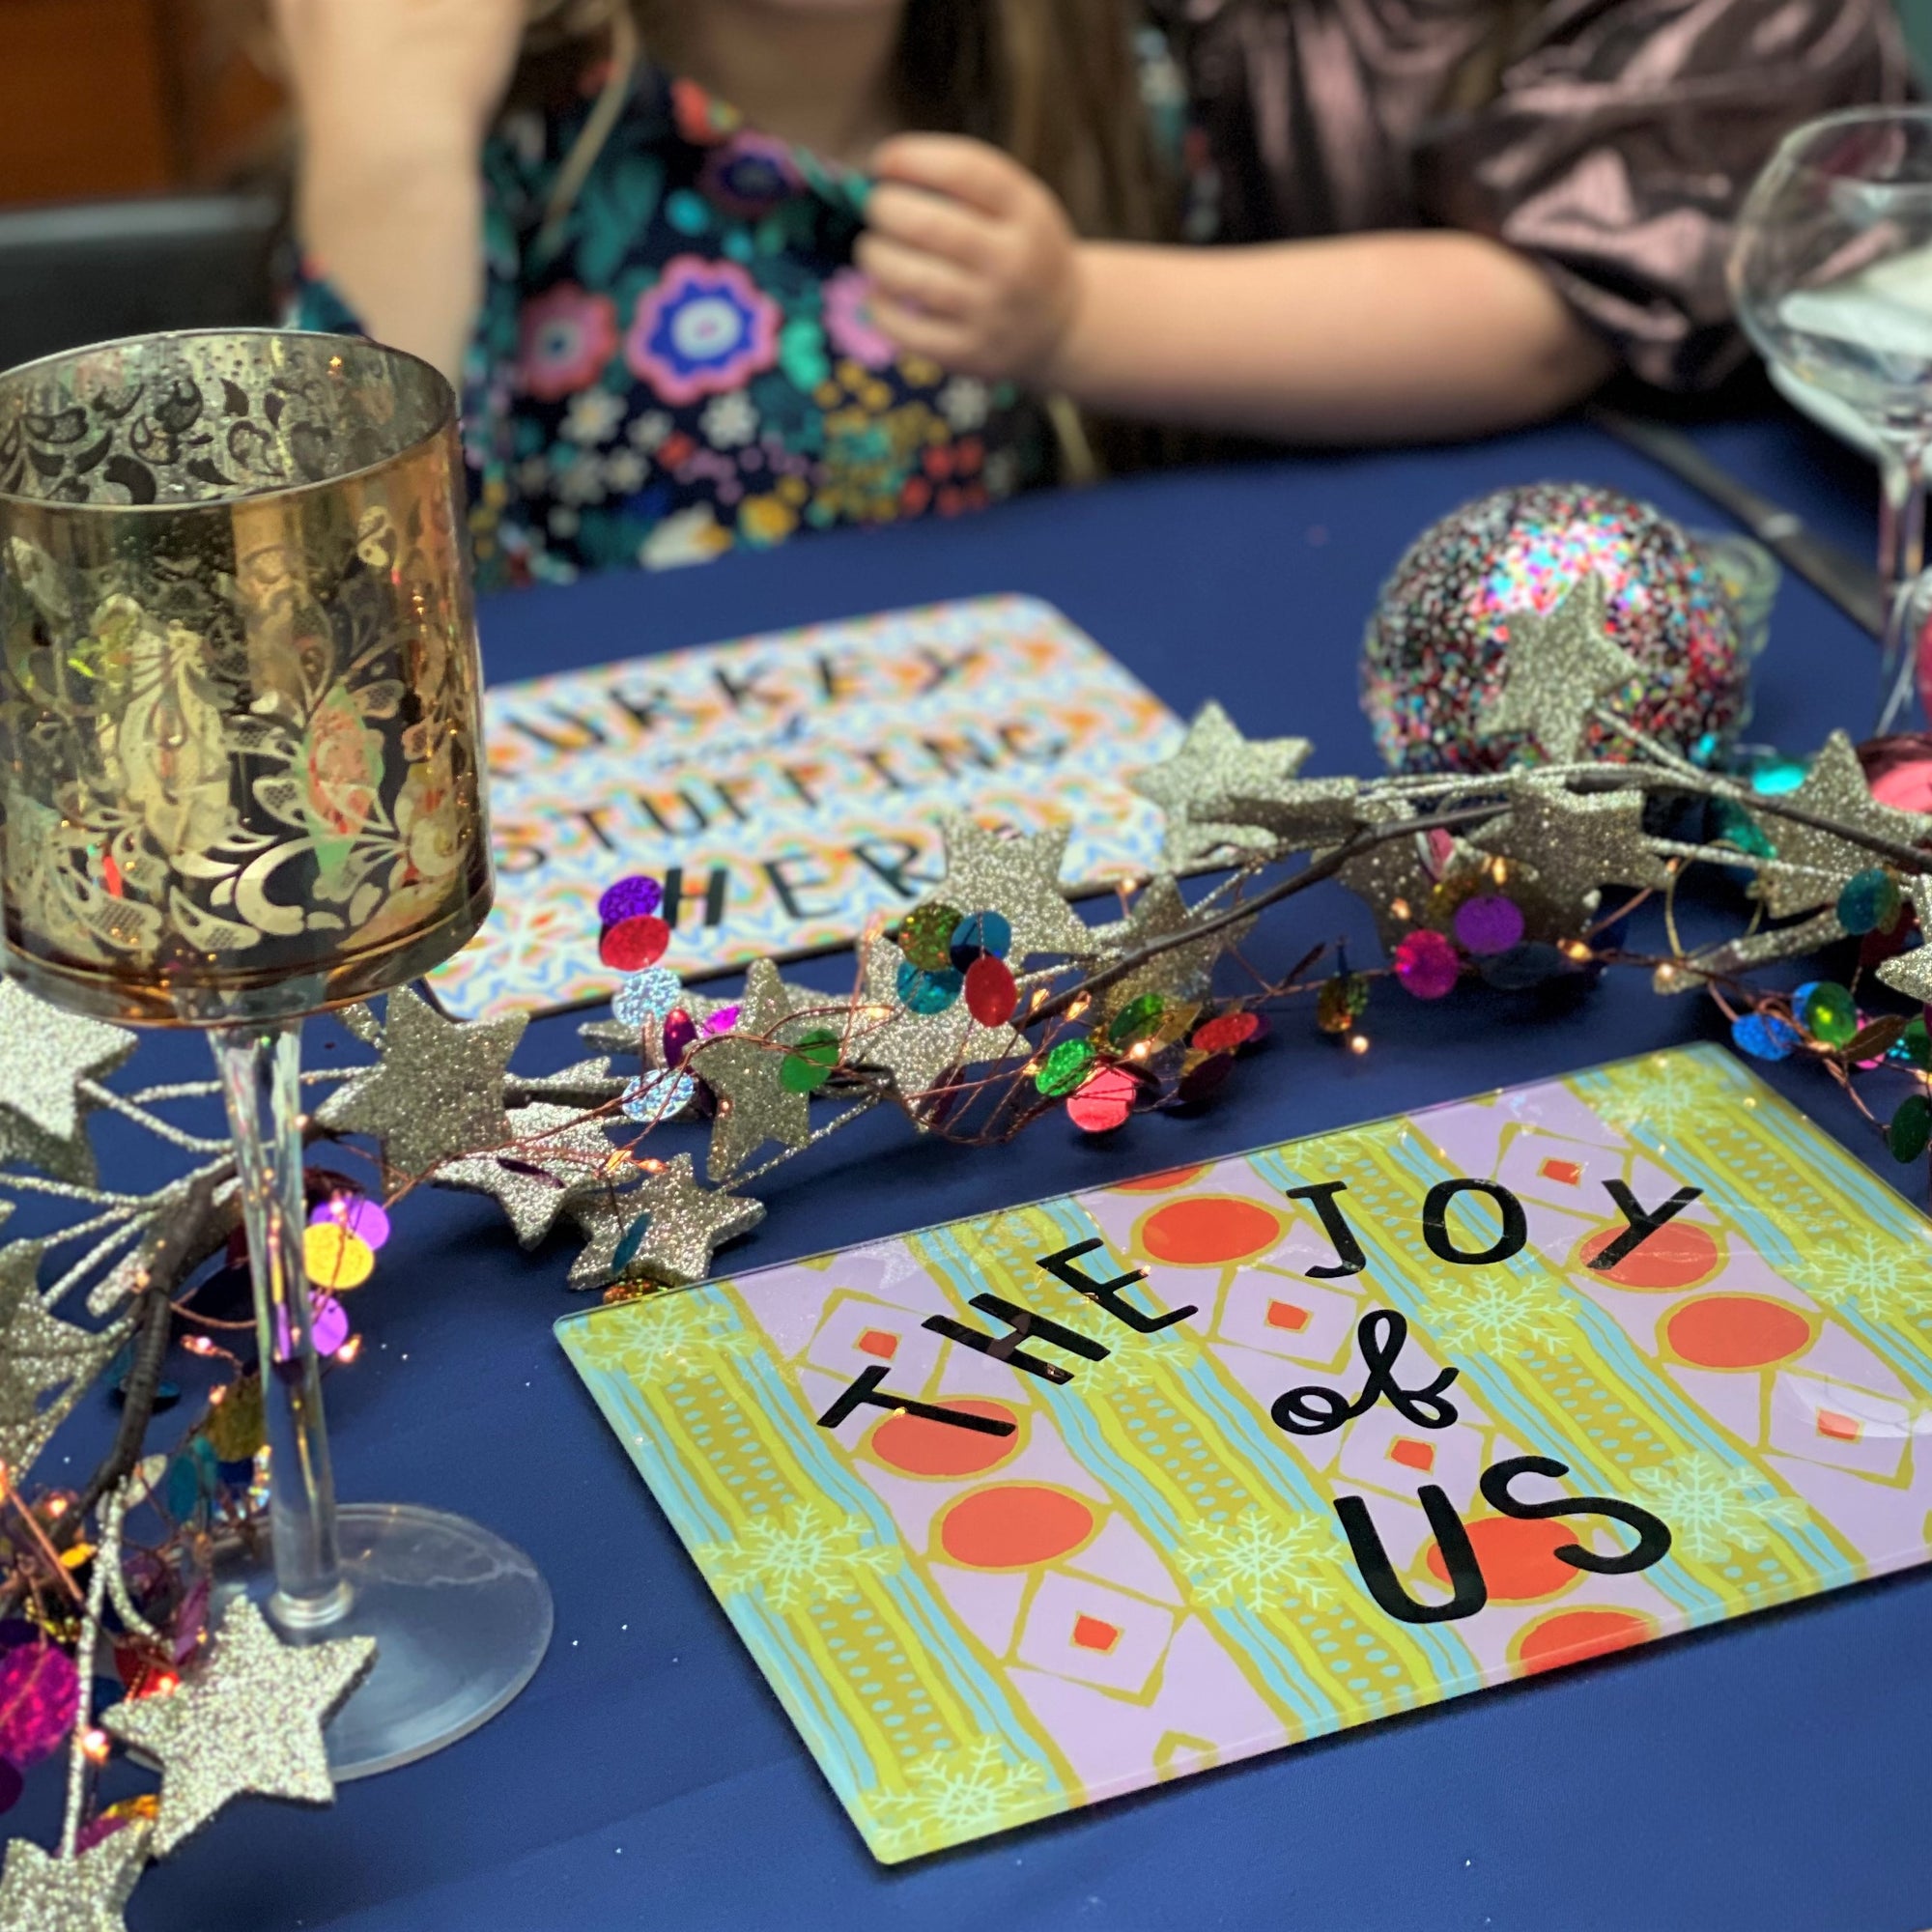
column 438, row 1091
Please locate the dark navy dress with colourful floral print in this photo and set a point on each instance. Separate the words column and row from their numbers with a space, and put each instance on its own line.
column 689, row 364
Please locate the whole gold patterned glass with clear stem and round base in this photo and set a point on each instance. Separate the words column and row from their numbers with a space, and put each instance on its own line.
column 241, row 783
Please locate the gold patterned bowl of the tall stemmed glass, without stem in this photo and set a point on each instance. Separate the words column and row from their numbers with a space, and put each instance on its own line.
column 239, row 677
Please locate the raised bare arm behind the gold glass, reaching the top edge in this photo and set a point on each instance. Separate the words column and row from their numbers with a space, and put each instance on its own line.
column 395, row 99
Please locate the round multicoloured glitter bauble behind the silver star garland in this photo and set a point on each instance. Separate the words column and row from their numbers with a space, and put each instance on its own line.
column 1688, row 610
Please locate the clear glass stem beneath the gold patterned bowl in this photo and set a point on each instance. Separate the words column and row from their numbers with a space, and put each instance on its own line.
column 262, row 1081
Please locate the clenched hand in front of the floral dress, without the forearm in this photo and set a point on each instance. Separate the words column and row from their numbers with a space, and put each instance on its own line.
column 973, row 260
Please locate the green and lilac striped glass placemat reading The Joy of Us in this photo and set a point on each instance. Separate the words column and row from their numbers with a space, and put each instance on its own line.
column 1054, row 1504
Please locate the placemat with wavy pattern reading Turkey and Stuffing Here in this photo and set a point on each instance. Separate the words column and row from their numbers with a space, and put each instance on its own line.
column 787, row 789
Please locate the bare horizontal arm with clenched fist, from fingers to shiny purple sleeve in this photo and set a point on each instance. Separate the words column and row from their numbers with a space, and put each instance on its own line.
column 1350, row 339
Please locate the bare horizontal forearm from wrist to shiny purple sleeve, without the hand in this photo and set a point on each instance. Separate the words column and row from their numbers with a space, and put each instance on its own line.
column 1351, row 339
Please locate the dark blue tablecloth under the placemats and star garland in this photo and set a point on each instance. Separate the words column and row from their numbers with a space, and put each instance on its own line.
column 1763, row 1776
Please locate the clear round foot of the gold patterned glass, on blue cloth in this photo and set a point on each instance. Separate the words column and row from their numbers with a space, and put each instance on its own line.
column 461, row 1620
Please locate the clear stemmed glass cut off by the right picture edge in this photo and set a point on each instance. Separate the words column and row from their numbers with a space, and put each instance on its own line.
column 1833, row 279
